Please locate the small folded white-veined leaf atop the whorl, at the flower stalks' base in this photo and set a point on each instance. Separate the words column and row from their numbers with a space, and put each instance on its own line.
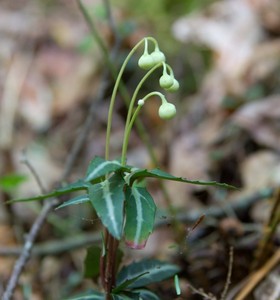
column 100, row 167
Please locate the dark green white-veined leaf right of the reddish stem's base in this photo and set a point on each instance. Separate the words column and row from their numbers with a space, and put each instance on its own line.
column 156, row 272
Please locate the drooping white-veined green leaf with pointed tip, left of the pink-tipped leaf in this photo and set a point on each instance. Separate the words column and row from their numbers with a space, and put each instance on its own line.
column 107, row 198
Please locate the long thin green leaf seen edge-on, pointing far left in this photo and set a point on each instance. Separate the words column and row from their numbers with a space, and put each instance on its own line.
column 75, row 186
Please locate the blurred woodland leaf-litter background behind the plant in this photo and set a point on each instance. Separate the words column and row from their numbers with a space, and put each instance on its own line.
column 226, row 56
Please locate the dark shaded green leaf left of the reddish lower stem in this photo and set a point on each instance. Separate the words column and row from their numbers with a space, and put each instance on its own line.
column 91, row 262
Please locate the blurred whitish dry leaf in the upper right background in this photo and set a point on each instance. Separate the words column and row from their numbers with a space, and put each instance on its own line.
column 224, row 26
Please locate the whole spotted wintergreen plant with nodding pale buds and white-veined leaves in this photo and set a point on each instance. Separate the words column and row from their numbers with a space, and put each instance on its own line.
column 126, row 209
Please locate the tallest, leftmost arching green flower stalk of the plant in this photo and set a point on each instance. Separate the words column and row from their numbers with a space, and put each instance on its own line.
column 114, row 93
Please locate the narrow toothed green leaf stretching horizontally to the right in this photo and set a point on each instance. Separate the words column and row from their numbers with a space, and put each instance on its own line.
column 157, row 173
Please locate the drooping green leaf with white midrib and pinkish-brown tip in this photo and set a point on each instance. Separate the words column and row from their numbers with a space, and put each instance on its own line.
column 140, row 211
